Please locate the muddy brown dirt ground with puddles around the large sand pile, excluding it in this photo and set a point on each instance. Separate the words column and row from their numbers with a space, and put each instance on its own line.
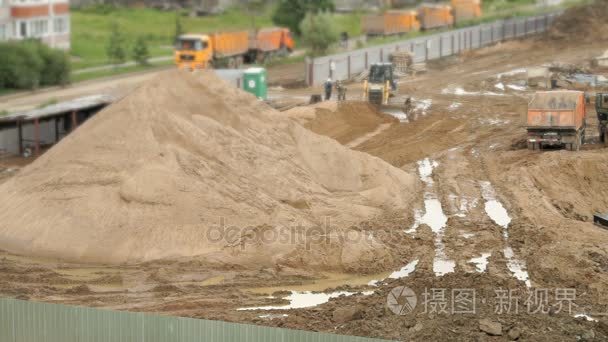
column 467, row 143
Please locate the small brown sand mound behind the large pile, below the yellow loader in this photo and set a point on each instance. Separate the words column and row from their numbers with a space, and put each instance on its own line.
column 345, row 121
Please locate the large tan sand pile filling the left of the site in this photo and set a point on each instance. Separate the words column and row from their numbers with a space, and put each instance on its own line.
column 151, row 176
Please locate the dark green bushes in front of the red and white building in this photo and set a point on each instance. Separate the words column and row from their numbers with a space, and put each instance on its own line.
column 30, row 64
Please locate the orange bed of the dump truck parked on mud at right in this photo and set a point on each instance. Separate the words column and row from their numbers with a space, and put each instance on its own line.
column 557, row 110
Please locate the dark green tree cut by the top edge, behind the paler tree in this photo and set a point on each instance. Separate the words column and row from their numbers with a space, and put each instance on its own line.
column 289, row 13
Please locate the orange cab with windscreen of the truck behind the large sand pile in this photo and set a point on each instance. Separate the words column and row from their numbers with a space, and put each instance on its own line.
column 193, row 51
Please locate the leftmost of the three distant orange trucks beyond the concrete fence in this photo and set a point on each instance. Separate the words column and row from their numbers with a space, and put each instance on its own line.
column 391, row 22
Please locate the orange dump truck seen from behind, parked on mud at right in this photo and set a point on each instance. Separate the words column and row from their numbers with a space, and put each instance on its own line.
column 556, row 118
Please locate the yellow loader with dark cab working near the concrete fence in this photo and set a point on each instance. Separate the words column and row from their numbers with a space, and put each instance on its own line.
column 380, row 84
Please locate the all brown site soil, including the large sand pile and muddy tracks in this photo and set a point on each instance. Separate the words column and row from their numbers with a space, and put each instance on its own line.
column 447, row 199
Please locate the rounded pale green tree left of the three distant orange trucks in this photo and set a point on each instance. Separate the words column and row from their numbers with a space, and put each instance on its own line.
column 319, row 31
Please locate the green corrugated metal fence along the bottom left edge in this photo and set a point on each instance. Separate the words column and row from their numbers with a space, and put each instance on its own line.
column 24, row 321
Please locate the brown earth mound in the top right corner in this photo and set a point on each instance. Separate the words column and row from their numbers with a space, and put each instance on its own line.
column 583, row 23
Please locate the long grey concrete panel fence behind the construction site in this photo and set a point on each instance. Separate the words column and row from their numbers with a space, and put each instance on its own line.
column 346, row 65
